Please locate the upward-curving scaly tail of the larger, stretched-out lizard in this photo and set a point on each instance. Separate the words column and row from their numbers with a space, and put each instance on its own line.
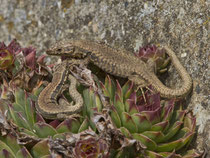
column 167, row 92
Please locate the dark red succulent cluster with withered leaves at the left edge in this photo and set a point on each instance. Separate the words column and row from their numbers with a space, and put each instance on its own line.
column 19, row 67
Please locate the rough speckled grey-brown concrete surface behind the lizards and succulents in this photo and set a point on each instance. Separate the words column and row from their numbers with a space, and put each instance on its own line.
column 183, row 25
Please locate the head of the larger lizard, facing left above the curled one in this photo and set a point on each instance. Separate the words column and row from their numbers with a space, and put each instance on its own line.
column 67, row 49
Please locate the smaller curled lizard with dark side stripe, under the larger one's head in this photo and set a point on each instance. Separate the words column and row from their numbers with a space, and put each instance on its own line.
column 49, row 104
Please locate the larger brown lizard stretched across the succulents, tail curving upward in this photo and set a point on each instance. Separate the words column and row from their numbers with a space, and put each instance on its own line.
column 123, row 64
